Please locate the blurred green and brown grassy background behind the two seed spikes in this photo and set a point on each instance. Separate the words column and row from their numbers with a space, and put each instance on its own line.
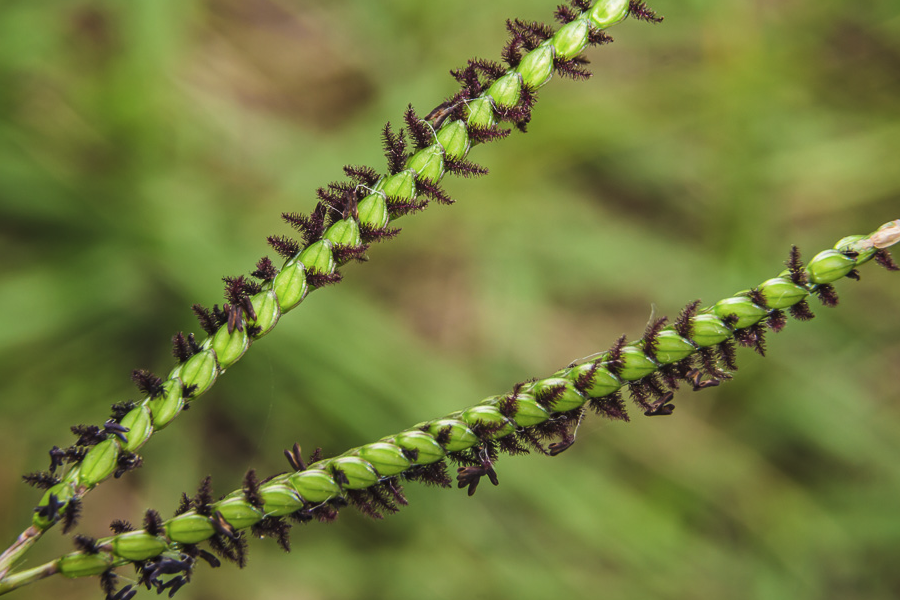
column 148, row 147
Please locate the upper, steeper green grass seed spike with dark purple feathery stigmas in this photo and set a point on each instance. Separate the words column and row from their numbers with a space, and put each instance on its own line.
column 349, row 216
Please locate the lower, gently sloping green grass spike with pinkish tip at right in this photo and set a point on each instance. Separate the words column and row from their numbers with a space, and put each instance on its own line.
column 698, row 348
